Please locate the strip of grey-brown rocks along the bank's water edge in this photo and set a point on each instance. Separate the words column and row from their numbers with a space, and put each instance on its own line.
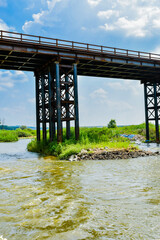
column 108, row 154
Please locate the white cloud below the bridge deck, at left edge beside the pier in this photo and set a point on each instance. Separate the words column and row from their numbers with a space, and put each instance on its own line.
column 8, row 79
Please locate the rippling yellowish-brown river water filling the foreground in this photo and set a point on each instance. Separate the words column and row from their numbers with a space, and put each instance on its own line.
column 44, row 198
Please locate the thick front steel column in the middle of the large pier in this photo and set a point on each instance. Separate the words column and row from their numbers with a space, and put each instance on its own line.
column 58, row 104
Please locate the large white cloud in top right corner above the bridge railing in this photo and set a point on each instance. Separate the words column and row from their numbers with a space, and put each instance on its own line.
column 134, row 18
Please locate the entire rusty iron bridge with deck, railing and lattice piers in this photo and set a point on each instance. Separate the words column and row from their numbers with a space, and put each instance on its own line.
column 56, row 64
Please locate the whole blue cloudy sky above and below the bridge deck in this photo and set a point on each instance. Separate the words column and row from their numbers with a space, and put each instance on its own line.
column 130, row 24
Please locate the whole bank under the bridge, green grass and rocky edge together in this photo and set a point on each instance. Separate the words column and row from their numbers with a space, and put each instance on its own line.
column 96, row 143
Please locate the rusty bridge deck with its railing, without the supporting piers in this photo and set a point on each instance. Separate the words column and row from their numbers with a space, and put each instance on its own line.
column 31, row 53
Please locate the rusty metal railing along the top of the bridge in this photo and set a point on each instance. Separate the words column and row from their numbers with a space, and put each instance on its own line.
column 59, row 43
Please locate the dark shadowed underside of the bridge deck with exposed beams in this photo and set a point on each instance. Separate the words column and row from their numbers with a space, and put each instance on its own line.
column 95, row 67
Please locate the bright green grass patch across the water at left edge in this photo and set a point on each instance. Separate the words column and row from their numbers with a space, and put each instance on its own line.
column 13, row 135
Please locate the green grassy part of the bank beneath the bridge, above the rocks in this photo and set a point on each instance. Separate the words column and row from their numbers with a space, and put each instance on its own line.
column 92, row 139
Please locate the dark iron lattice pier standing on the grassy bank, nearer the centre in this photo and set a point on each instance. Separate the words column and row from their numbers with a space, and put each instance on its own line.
column 57, row 101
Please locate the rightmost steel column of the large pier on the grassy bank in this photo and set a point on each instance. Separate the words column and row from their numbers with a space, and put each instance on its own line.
column 76, row 101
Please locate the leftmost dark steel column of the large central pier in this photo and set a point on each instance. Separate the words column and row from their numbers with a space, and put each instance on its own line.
column 37, row 107
